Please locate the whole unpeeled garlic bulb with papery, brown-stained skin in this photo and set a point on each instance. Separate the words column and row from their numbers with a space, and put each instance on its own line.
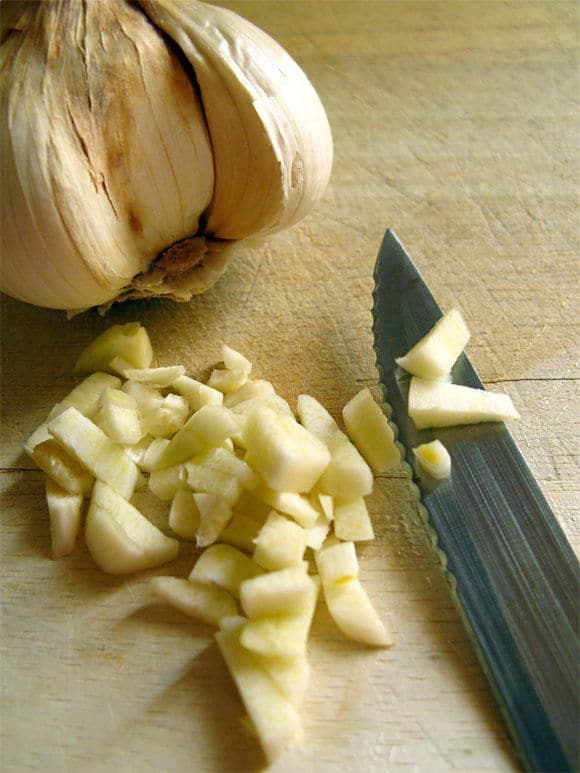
column 140, row 144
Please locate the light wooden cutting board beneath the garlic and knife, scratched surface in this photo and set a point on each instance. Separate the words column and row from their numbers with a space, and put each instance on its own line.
column 456, row 124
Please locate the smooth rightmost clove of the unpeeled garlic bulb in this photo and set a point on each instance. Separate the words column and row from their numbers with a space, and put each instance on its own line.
column 270, row 135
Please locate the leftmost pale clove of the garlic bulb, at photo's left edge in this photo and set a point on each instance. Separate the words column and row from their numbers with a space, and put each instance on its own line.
column 41, row 263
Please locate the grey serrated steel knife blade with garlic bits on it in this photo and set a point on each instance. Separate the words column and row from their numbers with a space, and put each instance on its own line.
column 511, row 571
